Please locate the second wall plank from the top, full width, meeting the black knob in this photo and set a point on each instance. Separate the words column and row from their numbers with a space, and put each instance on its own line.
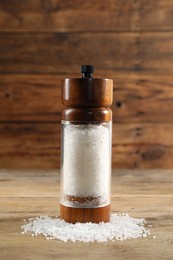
column 31, row 53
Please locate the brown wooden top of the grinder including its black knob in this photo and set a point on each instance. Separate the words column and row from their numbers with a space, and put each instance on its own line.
column 88, row 98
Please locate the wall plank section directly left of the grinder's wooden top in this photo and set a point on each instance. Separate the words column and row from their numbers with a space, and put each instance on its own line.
column 30, row 98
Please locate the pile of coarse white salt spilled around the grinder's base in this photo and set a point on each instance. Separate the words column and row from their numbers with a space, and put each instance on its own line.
column 120, row 227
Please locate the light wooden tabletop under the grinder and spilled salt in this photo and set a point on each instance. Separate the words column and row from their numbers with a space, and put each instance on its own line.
column 144, row 193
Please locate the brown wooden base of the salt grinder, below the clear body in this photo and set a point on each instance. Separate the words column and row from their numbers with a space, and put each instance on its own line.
column 83, row 215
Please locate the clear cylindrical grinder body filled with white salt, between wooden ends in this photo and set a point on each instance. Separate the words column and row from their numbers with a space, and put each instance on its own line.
column 86, row 164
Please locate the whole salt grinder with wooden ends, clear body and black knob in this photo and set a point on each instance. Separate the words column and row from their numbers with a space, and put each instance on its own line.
column 85, row 192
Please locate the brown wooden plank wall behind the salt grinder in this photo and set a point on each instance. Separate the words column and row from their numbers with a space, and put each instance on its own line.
column 43, row 41
